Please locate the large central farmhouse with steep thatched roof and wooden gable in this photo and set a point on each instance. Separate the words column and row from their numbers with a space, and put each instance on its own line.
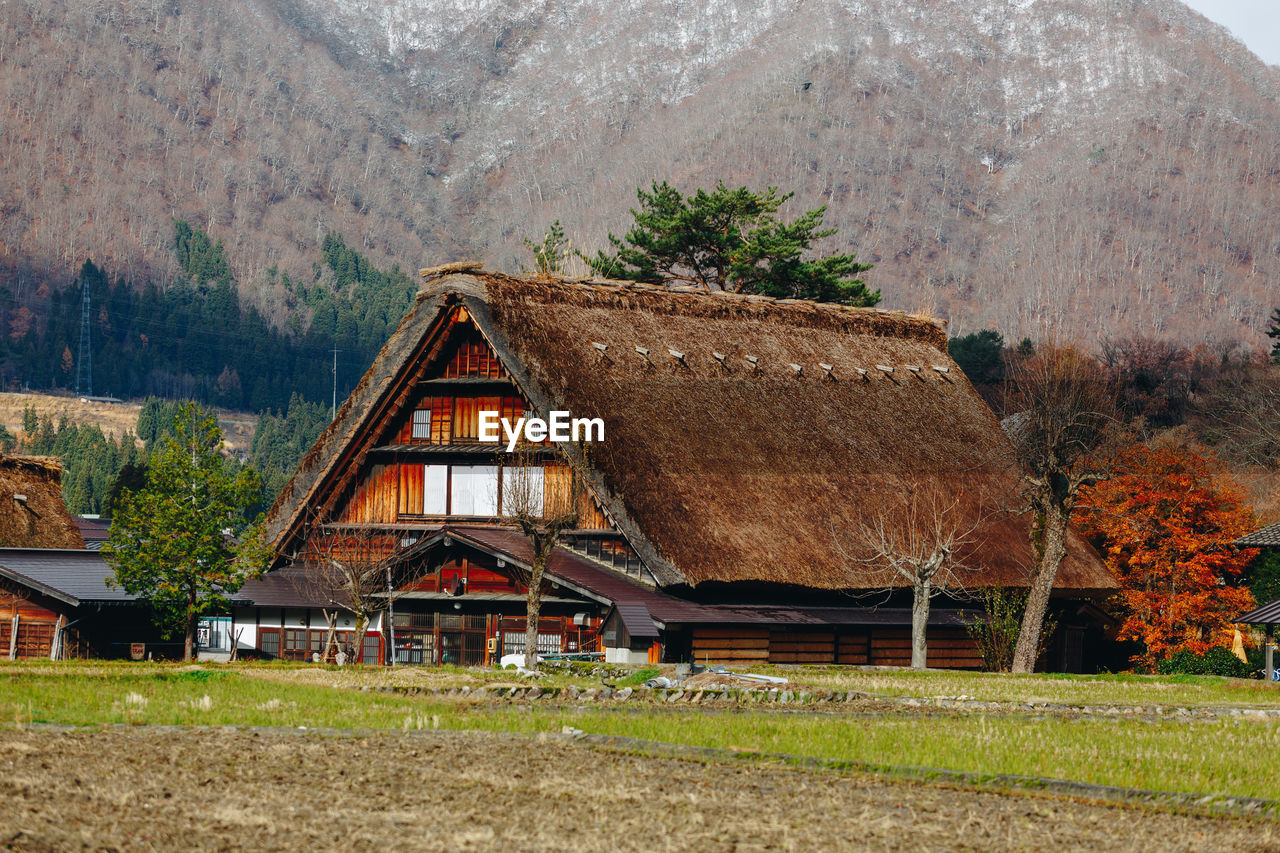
column 746, row 441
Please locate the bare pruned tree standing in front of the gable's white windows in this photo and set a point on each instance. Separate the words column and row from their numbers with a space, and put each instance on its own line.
column 543, row 518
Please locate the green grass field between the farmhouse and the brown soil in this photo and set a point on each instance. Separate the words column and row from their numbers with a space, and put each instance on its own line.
column 1231, row 756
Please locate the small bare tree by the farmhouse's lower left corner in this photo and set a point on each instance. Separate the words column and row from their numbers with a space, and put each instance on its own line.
column 350, row 569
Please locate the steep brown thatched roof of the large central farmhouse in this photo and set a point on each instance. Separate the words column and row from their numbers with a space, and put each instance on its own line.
column 751, row 440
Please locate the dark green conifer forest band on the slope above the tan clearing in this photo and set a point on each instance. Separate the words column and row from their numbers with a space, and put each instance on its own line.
column 195, row 339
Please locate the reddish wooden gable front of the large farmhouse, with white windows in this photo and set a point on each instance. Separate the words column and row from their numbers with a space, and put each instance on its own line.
column 418, row 468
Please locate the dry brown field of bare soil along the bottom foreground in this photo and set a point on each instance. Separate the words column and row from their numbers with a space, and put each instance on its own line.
column 158, row 788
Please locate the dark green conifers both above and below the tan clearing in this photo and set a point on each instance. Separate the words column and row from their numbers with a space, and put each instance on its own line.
column 195, row 340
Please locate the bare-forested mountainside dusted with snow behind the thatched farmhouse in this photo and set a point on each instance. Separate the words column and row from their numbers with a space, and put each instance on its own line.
column 1089, row 168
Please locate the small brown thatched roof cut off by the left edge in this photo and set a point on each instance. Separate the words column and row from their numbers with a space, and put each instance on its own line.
column 33, row 513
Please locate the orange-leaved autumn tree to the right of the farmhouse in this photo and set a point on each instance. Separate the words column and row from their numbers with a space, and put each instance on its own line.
column 1165, row 524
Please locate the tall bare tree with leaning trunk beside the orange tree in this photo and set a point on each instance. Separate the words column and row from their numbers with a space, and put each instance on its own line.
column 1063, row 426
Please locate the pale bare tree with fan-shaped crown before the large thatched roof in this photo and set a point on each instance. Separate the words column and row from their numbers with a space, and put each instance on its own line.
column 915, row 541
